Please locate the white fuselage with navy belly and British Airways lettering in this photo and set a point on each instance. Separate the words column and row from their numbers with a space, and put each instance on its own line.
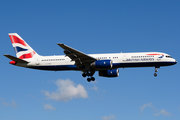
column 119, row 60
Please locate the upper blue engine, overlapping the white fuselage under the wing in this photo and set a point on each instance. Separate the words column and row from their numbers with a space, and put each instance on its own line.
column 102, row 64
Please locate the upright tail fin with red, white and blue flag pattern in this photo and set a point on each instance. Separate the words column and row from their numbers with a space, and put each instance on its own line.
column 22, row 49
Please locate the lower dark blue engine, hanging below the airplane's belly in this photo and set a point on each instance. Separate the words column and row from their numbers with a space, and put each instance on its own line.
column 109, row 73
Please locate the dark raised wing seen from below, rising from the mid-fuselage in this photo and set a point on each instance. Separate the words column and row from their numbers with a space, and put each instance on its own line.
column 77, row 56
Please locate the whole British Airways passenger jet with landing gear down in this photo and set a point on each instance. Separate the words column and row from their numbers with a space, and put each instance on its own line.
column 106, row 64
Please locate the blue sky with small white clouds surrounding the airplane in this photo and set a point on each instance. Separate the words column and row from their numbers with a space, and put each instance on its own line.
column 91, row 26
